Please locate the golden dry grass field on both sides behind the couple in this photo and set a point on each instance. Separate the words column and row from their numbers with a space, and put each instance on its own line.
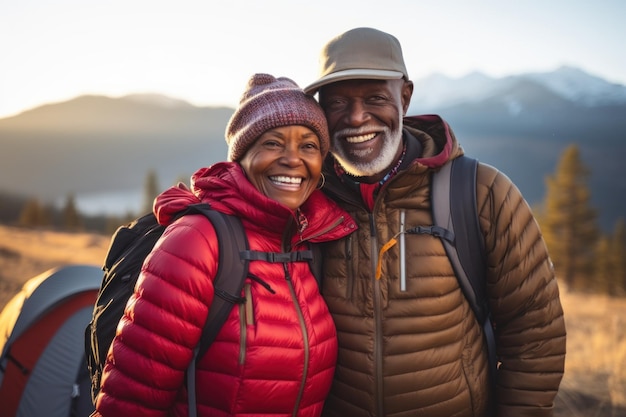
column 595, row 379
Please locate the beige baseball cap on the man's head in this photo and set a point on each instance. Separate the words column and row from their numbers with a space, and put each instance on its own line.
column 361, row 53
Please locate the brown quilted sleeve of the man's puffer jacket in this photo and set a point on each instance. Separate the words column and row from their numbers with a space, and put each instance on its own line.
column 524, row 299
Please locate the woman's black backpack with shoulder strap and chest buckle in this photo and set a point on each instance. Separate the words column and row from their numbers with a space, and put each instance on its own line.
column 129, row 247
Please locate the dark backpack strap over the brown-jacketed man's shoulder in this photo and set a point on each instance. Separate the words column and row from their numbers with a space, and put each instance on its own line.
column 455, row 209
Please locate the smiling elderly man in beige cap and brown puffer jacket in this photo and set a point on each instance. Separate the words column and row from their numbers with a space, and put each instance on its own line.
column 415, row 348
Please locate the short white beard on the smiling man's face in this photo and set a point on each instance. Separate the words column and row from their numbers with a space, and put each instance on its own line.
column 392, row 140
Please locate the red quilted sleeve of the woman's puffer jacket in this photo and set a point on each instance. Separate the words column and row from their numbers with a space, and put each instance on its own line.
column 162, row 323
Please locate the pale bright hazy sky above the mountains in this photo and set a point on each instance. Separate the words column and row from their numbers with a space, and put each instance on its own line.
column 203, row 51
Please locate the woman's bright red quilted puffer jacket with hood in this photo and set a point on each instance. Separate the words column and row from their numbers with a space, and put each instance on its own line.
column 275, row 354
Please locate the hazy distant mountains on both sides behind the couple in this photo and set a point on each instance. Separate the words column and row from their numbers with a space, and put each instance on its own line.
column 520, row 124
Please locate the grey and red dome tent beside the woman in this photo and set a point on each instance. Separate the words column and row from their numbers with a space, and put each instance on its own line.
column 42, row 367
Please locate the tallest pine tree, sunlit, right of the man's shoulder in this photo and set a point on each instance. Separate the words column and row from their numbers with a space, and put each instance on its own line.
column 569, row 222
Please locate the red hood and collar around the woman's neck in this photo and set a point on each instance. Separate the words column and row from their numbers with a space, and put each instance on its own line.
column 225, row 187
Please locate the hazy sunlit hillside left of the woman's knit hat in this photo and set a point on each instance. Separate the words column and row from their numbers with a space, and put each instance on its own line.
column 102, row 144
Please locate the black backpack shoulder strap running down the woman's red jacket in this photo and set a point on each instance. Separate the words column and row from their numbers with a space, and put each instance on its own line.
column 231, row 273
